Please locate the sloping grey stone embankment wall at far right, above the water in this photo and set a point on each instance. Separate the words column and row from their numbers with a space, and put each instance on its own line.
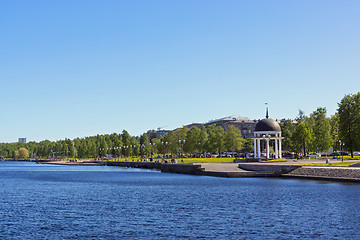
column 326, row 173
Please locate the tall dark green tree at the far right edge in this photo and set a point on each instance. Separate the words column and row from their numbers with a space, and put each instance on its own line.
column 349, row 121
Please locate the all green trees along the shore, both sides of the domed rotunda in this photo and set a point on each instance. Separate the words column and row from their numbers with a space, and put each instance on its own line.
column 315, row 132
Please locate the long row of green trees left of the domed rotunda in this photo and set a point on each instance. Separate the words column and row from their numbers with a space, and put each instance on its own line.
column 194, row 140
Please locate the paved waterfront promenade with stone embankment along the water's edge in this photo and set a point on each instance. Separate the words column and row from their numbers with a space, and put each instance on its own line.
column 288, row 169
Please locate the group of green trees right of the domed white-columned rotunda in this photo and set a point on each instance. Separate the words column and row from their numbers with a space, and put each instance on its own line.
column 317, row 132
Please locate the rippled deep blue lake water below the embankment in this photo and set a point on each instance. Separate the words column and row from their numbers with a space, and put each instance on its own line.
column 39, row 201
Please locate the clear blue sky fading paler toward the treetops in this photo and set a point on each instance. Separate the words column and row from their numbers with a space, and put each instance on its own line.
column 79, row 68
